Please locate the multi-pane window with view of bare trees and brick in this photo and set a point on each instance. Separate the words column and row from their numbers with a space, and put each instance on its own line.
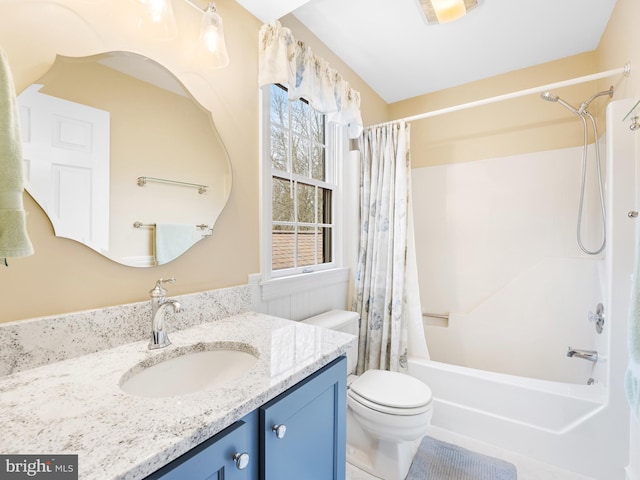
column 300, row 178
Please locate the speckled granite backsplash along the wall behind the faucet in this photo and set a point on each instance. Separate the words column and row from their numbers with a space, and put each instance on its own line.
column 39, row 341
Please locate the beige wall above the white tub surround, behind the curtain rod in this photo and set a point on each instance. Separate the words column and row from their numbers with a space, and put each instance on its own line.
column 509, row 127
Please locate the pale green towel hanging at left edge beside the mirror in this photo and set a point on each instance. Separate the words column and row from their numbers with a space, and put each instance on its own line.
column 14, row 241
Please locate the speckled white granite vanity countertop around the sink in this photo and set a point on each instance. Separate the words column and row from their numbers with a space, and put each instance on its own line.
column 76, row 406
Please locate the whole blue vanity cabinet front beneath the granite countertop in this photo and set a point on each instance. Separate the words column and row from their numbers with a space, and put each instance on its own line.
column 308, row 443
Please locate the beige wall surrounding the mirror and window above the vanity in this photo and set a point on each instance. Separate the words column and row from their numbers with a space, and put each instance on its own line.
column 64, row 276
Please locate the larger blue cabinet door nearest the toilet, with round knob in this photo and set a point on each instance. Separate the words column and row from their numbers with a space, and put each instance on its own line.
column 313, row 447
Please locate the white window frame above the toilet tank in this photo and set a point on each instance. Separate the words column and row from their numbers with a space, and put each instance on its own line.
column 335, row 146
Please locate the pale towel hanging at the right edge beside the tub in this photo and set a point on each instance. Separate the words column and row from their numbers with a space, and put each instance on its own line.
column 632, row 377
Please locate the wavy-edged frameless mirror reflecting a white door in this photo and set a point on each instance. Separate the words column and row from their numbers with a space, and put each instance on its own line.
column 122, row 158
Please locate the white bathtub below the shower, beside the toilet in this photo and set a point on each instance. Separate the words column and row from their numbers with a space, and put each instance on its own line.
column 566, row 425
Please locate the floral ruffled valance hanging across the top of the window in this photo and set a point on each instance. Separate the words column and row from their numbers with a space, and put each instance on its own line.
column 284, row 60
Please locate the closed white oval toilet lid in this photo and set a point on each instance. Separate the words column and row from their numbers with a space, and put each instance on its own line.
column 392, row 389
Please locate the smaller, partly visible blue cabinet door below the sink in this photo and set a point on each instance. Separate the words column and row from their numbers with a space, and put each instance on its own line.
column 214, row 458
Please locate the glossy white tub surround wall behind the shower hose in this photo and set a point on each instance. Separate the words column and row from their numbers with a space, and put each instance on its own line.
column 496, row 249
